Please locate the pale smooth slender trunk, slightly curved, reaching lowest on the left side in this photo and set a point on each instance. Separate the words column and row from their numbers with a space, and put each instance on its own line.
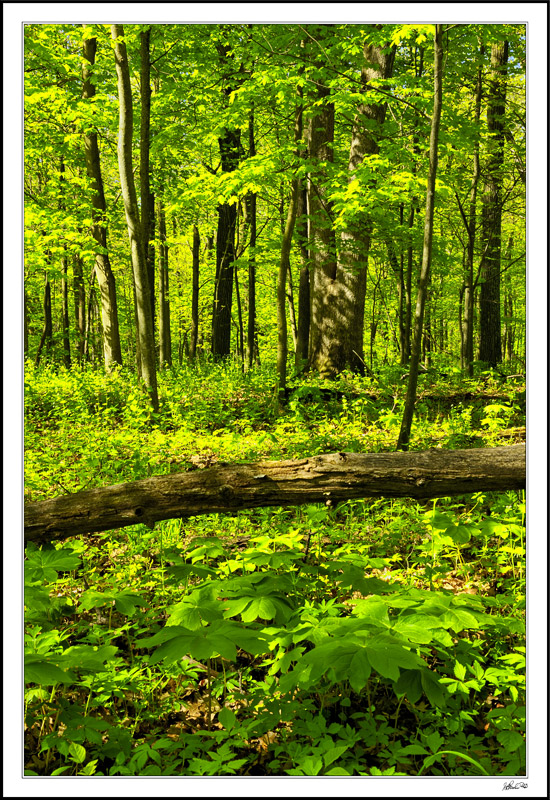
column 139, row 259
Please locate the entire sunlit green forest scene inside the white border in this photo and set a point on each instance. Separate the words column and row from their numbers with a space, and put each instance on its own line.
column 274, row 399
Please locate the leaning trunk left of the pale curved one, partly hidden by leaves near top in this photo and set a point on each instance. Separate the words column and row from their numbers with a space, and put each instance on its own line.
column 106, row 280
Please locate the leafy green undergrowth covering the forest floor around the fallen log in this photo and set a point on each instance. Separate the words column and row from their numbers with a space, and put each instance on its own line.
column 377, row 637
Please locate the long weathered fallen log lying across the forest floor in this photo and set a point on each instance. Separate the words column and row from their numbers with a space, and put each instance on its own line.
column 228, row 488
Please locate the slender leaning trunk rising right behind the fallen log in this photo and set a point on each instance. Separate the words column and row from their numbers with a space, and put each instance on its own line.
column 410, row 399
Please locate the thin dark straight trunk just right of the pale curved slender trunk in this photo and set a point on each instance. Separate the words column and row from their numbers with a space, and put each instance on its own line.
column 147, row 198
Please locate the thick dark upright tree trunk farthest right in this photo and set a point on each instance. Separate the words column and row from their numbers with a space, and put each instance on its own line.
column 490, row 344
